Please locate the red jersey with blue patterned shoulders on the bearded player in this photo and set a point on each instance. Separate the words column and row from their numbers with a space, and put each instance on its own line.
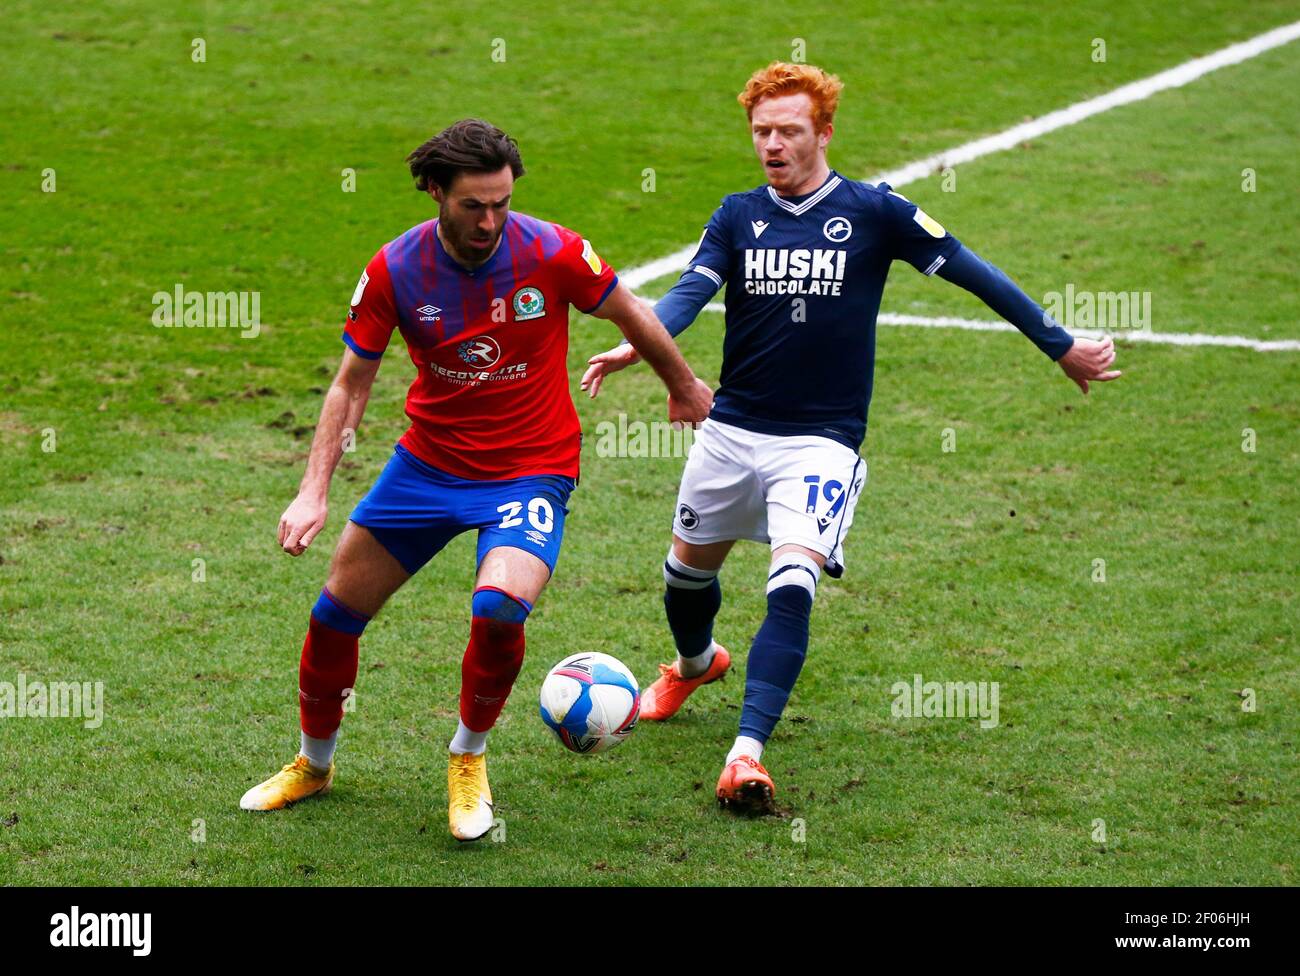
column 491, row 400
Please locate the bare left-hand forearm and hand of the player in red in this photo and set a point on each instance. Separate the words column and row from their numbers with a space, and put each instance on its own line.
column 344, row 409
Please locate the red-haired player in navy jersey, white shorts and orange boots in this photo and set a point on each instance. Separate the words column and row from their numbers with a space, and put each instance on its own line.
column 804, row 259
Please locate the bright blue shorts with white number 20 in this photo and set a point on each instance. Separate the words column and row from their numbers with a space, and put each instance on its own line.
column 415, row 510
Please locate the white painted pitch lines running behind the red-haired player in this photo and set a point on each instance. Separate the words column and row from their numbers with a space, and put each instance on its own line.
column 1126, row 94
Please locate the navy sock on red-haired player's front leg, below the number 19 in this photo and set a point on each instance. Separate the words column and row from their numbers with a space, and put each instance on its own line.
column 775, row 660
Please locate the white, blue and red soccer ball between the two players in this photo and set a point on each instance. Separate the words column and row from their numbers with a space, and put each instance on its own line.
column 591, row 702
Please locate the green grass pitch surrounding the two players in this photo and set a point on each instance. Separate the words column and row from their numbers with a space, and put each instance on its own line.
column 1126, row 701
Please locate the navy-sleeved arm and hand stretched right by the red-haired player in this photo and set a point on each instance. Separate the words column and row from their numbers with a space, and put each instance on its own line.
column 1084, row 361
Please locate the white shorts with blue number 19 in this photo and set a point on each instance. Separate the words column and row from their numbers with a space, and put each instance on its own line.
column 783, row 491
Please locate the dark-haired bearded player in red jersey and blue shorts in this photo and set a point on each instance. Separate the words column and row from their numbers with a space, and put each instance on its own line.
column 482, row 298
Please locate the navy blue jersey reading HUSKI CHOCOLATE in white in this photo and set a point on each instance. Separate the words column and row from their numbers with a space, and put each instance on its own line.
column 804, row 280
